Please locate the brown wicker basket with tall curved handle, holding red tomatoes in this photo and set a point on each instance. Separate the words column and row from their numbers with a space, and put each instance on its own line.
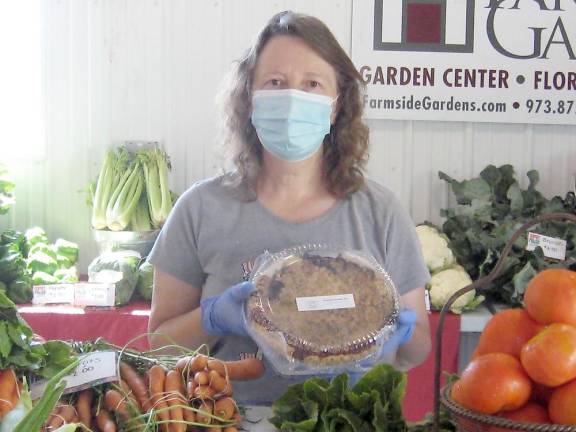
column 470, row 421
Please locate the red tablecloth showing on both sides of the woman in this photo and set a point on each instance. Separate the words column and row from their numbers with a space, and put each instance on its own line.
column 123, row 324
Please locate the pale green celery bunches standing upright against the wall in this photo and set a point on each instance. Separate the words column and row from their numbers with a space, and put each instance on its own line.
column 132, row 191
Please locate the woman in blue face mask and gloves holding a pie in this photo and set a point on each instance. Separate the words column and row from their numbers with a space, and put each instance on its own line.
column 294, row 116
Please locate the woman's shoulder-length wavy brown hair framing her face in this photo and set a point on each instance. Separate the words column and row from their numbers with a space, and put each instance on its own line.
column 345, row 147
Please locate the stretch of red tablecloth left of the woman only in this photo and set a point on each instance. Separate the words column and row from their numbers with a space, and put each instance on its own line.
column 118, row 325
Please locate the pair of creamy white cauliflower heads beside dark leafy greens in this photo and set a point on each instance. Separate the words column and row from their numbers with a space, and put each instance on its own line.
column 445, row 283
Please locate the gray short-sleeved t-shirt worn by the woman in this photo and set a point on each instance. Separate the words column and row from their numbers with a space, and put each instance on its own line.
column 212, row 237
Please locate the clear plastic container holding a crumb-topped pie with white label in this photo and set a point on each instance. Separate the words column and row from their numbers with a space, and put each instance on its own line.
column 320, row 309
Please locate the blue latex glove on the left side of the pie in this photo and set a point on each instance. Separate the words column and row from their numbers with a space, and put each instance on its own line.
column 222, row 314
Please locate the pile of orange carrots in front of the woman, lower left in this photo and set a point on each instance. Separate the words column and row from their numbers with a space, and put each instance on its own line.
column 194, row 395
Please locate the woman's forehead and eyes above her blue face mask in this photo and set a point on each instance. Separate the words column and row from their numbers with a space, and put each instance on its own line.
column 287, row 62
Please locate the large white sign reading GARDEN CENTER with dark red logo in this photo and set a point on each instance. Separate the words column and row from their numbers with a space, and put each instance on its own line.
column 467, row 60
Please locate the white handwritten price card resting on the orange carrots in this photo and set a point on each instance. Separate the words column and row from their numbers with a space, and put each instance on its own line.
column 94, row 368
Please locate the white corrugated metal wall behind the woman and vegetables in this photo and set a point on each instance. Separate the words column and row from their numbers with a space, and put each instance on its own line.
column 119, row 70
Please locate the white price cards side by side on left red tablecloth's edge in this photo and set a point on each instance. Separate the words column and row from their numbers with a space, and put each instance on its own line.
column 77, row 294
